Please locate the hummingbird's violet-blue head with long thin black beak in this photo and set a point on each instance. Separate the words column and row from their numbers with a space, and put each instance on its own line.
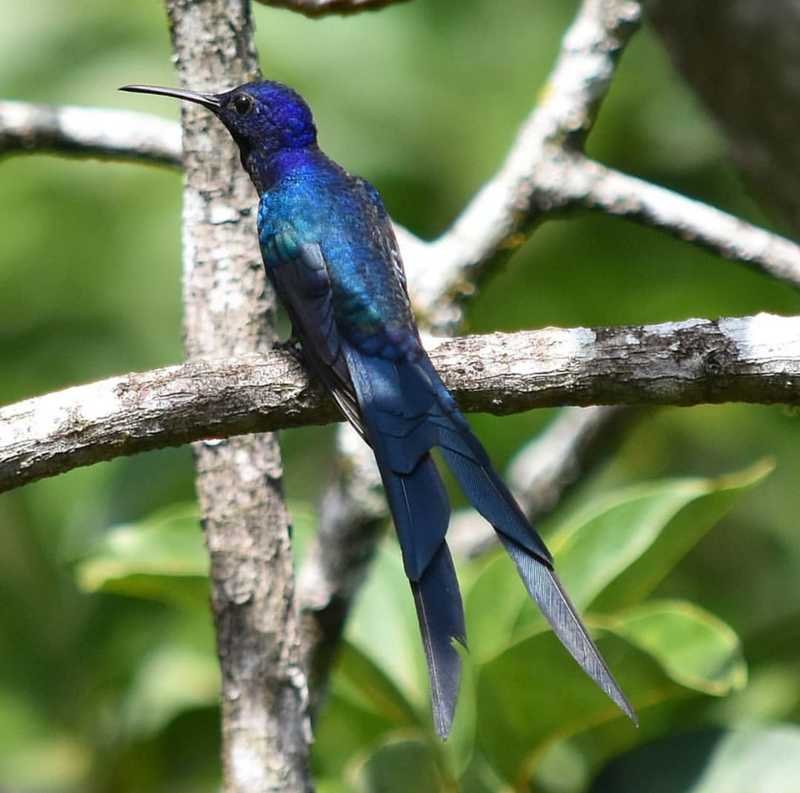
column 264, row 117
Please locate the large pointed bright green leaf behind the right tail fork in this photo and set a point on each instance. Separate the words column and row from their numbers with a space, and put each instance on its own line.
column 611, row 554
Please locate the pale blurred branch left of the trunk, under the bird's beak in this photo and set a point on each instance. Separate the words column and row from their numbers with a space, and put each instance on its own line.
column 88, row 132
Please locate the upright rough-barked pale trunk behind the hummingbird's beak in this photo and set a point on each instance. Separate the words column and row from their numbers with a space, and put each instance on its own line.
column 229, row 311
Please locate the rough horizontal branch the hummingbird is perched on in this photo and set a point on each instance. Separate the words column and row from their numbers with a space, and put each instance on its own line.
column 752, row 359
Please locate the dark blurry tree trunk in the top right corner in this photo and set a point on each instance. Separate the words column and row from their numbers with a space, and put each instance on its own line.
column 742, row 59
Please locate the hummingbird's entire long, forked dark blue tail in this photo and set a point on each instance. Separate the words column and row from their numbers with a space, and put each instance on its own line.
column 406, row 410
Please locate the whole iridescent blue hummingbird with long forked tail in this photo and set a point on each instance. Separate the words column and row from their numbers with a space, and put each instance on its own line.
column 331, row 254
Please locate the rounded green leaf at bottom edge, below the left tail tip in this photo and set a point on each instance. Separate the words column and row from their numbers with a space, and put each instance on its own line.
column 400, row 765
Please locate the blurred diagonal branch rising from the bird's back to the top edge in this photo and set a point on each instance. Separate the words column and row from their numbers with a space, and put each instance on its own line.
column 503, row 213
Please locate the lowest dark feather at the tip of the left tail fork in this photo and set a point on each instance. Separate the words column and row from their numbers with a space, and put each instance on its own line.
column 441, row 621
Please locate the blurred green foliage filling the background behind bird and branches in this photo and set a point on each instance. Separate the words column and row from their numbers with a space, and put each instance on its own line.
column 106, row 662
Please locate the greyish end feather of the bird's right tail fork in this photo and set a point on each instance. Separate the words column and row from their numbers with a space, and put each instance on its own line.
column 545, row 588
